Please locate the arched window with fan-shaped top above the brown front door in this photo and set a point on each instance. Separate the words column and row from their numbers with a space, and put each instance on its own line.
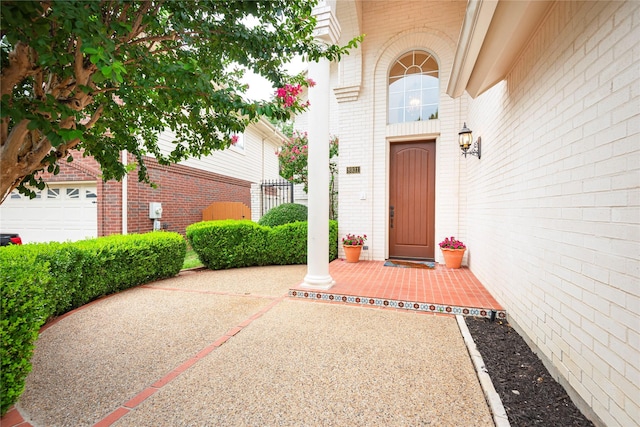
column 414, row 88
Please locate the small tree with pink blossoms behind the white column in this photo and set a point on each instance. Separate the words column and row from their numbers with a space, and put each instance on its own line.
column 293, row 157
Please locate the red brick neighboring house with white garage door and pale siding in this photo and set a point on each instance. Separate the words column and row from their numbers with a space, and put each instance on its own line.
column 77, row 204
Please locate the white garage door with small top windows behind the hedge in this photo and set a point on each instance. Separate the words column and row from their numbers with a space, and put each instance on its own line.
column 60, row 212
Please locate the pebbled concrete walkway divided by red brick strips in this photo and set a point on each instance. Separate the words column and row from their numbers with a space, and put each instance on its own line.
column 229, row 348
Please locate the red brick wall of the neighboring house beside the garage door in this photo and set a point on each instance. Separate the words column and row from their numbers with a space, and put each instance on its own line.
column 183, row 191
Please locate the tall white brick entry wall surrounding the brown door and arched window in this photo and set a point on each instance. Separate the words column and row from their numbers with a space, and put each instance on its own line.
column 364, row 134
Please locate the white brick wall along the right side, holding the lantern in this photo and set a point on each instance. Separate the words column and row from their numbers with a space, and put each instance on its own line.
column 553, row 209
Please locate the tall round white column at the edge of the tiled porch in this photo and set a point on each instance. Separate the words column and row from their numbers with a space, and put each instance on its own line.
column 318, row 276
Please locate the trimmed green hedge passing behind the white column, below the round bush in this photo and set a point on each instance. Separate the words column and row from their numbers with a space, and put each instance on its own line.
column 242, row 243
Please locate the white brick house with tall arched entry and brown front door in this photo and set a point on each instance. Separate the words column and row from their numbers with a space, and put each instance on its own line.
column 550, row 212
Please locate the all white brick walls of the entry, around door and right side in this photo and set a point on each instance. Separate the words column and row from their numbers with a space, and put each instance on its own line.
column 551, row 213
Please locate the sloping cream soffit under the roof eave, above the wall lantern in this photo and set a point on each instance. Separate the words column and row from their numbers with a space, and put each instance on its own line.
column 492, row 36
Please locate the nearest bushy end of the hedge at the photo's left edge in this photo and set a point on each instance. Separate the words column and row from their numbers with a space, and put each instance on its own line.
column 24, row 310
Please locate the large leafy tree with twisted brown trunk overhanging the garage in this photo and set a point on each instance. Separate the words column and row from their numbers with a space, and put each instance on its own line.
column 106, row 76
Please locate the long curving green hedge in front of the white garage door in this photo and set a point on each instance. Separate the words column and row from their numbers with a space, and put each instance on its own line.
column 43, row 280
